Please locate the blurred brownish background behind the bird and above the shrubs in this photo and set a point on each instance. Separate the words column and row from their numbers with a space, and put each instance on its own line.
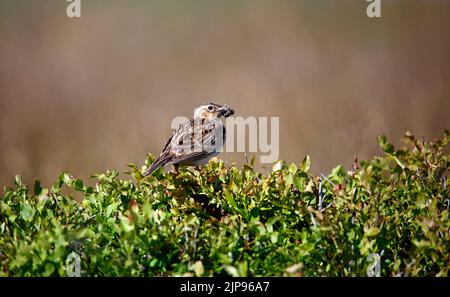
column 91, row 94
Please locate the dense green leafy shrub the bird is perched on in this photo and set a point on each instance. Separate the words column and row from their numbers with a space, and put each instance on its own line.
column 229, row 221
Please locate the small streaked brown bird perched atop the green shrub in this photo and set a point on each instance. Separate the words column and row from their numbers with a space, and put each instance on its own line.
column 193, row 143
